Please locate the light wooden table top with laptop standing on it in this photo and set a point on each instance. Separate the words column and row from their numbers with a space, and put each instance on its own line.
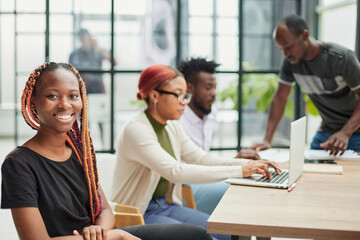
column 321, row 206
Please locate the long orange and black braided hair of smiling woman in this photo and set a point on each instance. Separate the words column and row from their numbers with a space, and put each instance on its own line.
column 78, row 138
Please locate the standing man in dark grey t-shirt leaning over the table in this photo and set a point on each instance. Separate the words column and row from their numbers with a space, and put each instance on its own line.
column 329, row 74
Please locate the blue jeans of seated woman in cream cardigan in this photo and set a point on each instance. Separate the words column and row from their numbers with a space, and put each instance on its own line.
column 159, row 211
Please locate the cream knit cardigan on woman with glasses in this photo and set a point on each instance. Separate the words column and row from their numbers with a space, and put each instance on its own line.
column 141, row 161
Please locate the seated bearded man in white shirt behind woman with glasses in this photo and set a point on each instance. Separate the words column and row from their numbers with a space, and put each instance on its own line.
column 198, row 122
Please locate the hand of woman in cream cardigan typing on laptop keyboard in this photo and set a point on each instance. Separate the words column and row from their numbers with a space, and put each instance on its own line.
column 260, row 167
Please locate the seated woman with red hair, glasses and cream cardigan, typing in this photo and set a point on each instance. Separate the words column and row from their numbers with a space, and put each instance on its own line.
column 155, row 156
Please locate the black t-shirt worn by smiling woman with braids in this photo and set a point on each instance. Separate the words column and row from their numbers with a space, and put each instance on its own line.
column 58, row 189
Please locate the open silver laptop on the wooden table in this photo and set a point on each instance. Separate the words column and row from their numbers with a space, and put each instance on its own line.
column 296, row 162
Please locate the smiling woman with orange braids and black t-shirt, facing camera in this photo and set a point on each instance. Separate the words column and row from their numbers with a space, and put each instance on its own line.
column 51, row 183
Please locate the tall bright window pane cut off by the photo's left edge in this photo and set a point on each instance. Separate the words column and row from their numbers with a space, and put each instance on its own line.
column 7, row 50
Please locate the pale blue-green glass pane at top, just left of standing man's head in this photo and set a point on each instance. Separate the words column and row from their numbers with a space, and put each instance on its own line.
column 258, row 17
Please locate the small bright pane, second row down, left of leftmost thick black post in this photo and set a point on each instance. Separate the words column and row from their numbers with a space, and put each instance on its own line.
column 31, row 23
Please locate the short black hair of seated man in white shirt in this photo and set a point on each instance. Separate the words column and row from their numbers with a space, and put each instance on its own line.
column 195, row 65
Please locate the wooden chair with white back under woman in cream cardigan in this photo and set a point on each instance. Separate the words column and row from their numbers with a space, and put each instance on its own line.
column 126, row 215
